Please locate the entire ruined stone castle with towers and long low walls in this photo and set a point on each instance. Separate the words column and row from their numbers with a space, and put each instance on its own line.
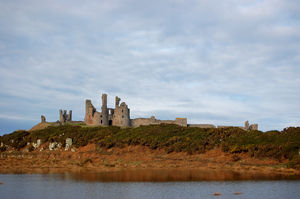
column 120, row 116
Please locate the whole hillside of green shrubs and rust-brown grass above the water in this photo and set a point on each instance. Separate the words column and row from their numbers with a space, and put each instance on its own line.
column 153, row 146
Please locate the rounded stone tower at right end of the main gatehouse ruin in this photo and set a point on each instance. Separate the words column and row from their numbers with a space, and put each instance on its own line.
column 121, row 114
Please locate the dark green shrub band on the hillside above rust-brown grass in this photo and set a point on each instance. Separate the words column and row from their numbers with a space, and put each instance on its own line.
column 172, row 138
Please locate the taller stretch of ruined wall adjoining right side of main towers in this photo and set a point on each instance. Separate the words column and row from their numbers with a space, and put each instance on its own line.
column 152, row 121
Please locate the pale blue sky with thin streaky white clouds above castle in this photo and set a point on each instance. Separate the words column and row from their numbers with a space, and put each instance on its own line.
column 214, row 62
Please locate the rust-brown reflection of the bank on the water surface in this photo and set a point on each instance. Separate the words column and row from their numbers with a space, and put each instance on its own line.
column 164, row 175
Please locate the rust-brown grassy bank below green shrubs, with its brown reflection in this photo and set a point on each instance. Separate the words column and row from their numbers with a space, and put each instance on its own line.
column 142, row 162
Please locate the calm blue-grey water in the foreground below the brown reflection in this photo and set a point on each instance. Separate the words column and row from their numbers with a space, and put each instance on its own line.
column 66, row 186
